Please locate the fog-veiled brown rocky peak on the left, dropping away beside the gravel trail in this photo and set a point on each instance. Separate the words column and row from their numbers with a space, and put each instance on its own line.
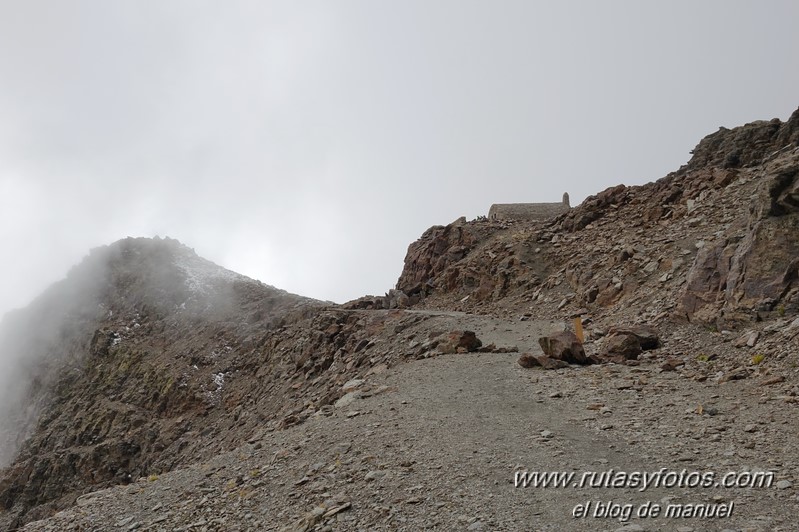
column 148, row 357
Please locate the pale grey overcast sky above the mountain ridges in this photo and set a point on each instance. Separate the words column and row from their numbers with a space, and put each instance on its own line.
column 306, row 144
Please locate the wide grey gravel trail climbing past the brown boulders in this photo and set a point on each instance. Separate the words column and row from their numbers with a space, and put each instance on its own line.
column 434, row 445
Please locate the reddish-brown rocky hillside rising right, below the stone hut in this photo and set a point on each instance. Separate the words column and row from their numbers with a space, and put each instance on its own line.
column 714, row 242
